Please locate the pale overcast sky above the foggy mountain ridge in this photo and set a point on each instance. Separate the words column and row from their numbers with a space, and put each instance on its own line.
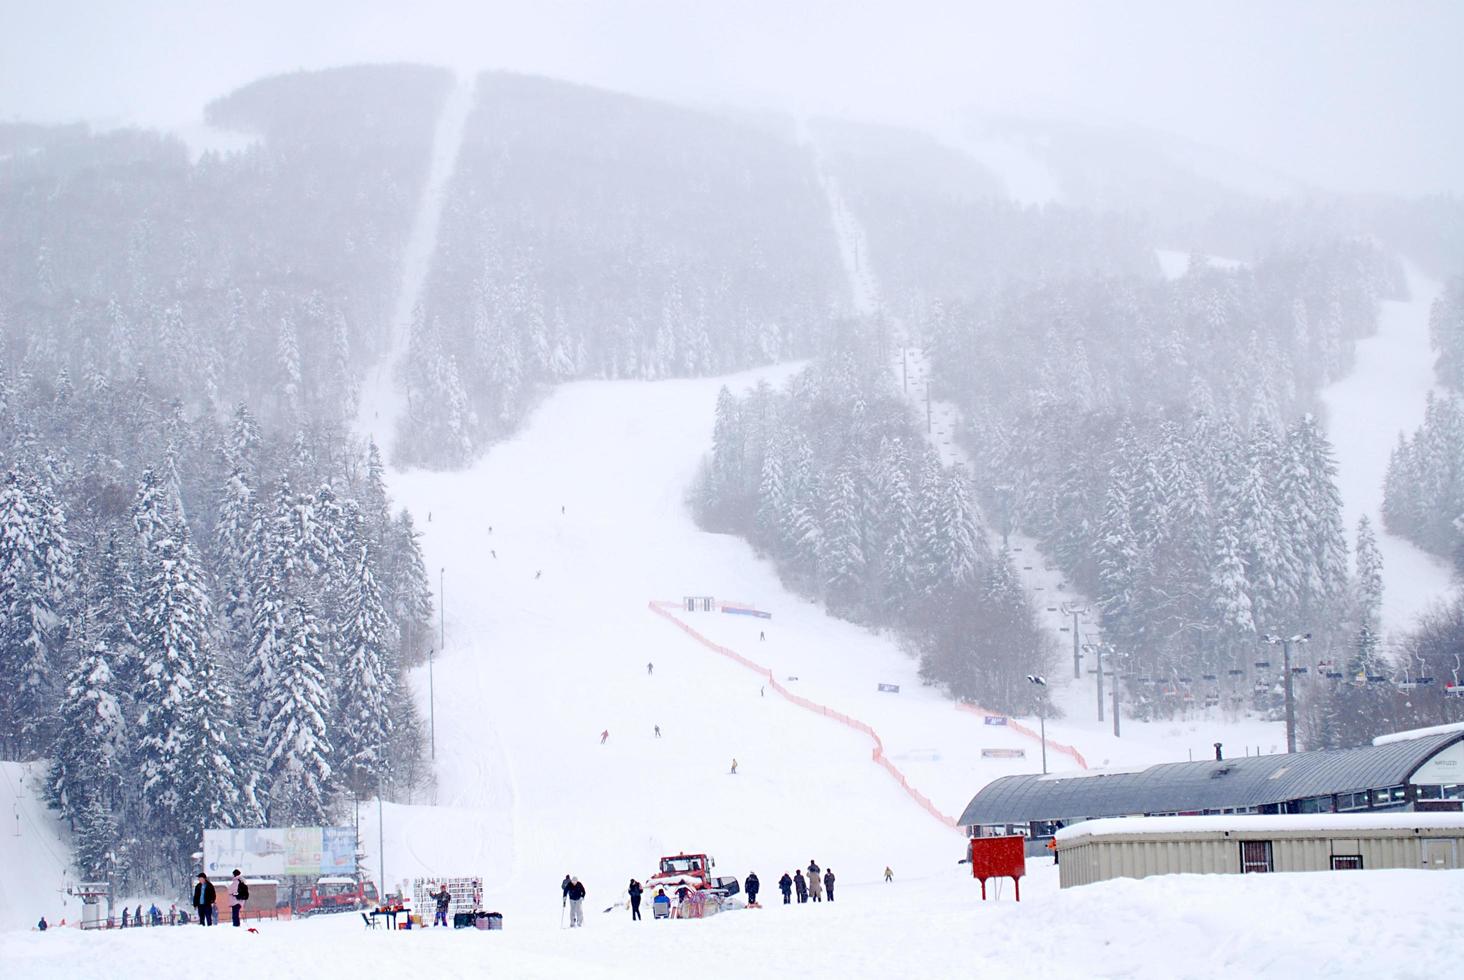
column 1342, row 93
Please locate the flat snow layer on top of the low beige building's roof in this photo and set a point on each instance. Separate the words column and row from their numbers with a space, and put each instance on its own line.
column 1336, row 824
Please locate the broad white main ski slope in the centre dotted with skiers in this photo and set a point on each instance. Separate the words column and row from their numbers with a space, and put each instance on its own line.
column 551, row 552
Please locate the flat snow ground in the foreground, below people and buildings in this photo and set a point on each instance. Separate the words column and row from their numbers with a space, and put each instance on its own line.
column 1187, row 927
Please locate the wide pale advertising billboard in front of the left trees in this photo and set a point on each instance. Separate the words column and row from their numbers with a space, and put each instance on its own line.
column 276, row 852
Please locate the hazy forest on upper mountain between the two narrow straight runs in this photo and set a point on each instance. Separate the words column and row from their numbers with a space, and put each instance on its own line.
column 591, row 235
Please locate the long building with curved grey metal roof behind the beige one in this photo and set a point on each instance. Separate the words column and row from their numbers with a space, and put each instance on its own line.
column 1422, row 773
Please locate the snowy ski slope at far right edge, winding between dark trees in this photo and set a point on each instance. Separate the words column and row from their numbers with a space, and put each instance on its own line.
column 1384, row 396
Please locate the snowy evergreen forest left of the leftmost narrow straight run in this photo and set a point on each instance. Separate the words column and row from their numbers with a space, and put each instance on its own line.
column 209, row 610
